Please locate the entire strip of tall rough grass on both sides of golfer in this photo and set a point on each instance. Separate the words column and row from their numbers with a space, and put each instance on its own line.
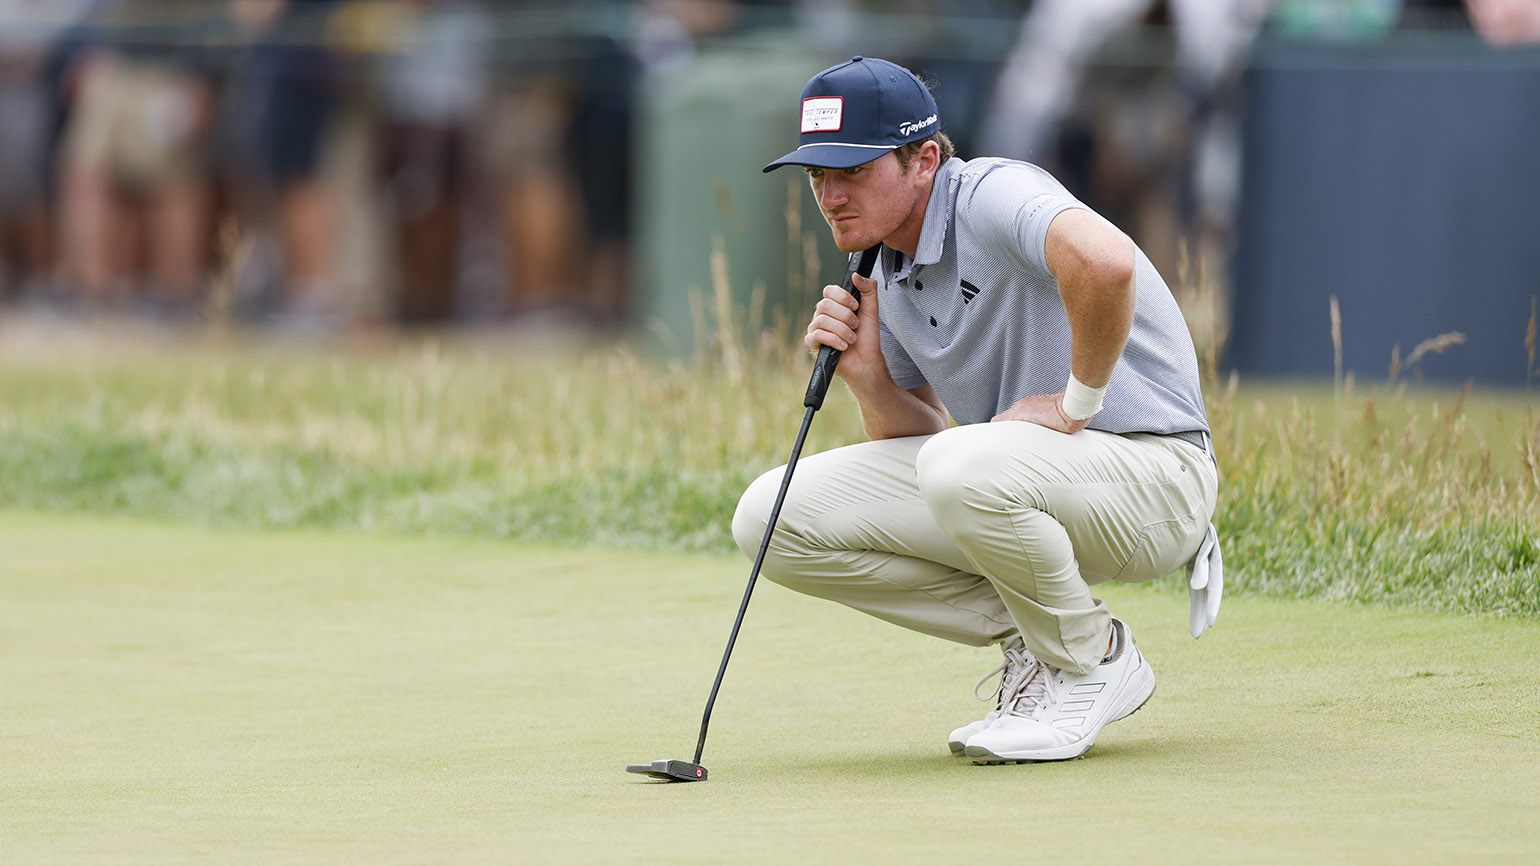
column 1396, row 495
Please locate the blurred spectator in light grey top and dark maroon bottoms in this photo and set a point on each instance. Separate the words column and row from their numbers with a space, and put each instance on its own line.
column 434, row 86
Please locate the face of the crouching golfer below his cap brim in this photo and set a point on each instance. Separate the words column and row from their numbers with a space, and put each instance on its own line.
column 868, row 204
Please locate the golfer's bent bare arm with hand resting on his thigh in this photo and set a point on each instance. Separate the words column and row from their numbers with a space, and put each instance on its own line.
column 1094, row 264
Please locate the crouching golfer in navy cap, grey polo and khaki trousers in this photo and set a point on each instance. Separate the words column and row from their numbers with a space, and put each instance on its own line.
column 1080, row 451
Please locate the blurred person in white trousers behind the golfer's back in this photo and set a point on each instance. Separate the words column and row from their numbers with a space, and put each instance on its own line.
column 1159, row 155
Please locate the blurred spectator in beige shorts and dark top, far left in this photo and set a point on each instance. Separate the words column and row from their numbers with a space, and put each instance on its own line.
column 135, row 186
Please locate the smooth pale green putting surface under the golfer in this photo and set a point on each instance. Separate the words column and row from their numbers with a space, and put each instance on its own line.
column 190, row 696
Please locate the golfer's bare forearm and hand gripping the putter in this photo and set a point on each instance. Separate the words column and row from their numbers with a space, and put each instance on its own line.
column 888, row 411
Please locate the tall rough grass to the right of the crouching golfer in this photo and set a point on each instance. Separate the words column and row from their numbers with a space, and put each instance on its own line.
column 1418, row 498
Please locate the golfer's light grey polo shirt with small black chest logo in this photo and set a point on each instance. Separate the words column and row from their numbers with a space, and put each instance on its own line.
column 979, row 317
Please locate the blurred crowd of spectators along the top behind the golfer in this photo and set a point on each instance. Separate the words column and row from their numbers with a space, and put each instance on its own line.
column 323, row 166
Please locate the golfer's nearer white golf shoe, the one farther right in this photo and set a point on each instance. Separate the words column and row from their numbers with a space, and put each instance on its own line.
column 1057, row 716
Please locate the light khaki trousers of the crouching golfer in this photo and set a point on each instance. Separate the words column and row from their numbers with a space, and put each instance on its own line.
column 986, row 531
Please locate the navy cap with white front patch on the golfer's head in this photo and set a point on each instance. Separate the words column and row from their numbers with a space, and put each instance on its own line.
column 857, row 112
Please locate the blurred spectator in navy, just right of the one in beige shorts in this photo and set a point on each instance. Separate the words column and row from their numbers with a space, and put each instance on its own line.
column 278, row 109
